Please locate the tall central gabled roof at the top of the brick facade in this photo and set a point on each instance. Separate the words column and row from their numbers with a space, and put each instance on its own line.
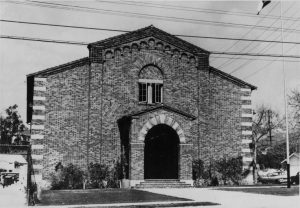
column 149, row 31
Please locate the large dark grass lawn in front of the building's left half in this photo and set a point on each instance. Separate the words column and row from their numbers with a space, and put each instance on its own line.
column 104, row 196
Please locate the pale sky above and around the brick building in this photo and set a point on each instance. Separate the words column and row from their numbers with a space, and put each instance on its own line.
column 19, row 58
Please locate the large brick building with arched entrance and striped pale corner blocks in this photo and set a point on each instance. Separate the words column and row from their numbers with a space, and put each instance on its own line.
column 146, row 93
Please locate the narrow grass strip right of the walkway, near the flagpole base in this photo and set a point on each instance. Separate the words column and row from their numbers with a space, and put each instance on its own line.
column 280, row 191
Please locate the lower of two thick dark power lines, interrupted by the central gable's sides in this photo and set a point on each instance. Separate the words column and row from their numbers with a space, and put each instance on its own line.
column 84, row 43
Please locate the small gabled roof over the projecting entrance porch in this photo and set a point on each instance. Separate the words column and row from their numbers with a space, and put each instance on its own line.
column 163, row 107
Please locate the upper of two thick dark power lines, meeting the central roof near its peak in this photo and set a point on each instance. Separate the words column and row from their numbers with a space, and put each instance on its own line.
column 117, row 30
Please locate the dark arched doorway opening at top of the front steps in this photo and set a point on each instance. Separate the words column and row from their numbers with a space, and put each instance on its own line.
column 161, row 153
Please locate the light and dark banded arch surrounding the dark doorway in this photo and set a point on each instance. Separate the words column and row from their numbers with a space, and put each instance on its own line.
column 161, row 119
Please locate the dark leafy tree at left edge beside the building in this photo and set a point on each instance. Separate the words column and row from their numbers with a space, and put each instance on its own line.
column 13, row 130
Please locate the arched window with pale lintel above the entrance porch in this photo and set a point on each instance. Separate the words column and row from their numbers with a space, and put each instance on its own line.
column 150, row 85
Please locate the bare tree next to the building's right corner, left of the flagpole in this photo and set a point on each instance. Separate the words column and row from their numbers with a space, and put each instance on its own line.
column 265, row 121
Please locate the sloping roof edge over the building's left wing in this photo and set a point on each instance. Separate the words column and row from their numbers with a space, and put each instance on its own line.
column 59, row 68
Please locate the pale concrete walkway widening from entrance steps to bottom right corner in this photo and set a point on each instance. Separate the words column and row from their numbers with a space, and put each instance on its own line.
column 232, row 199
